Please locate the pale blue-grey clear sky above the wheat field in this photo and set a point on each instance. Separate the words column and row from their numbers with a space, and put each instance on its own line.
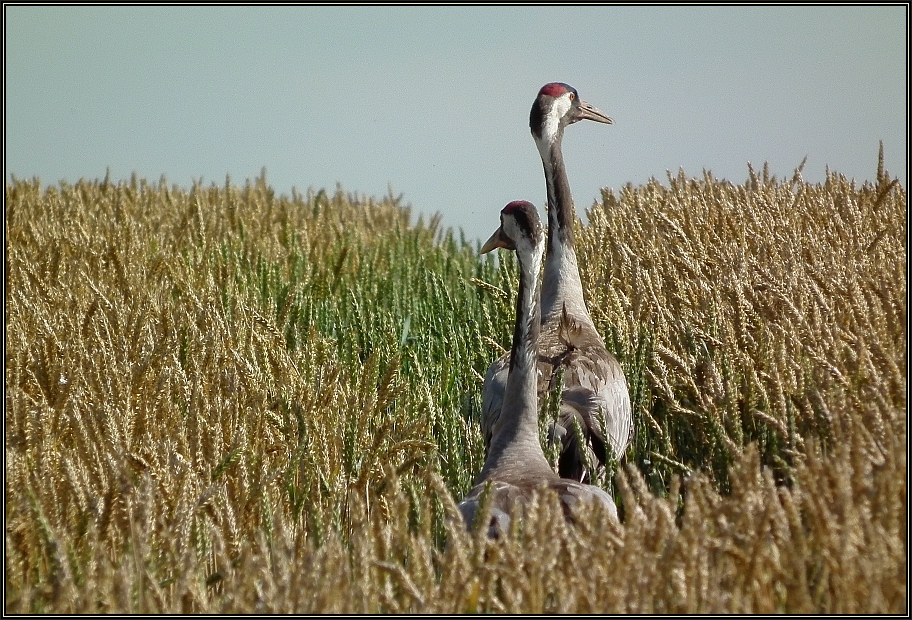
column 433, row 102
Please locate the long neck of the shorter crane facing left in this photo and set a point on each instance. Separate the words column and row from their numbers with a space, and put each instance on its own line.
column 515, row 446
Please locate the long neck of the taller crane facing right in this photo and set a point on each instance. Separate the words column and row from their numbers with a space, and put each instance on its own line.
column 561, row 283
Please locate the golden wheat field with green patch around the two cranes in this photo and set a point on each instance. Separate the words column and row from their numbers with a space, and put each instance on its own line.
column 223, row 400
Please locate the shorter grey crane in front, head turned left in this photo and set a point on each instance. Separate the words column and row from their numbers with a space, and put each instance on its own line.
column 515, row 467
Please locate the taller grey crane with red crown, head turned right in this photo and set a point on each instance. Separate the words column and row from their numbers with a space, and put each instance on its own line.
column 571, row 351
